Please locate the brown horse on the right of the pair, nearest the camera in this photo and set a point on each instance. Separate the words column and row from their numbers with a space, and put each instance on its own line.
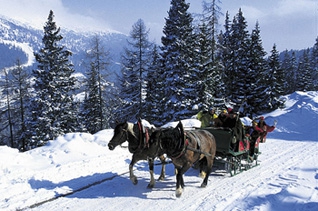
column 186, row 148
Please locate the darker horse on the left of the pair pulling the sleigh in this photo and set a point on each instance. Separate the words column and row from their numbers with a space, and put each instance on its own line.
column 140, row 146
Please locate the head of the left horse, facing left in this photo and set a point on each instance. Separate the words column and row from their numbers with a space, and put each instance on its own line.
column 120, row 134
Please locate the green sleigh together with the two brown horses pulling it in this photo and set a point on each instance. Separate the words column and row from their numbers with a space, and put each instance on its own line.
column 186, row 147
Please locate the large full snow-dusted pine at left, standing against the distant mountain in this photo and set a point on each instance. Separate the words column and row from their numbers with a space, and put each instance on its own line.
column 52, row 108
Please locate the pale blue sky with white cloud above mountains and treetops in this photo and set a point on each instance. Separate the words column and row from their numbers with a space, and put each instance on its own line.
column 290, row 24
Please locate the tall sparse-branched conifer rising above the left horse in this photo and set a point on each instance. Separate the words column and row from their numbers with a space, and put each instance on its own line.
column 135, row 64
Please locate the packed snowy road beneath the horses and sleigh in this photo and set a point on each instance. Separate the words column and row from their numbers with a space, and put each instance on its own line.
column 277, row 183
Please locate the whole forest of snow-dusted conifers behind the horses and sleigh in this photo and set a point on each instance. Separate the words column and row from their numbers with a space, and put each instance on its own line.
column 197, row 63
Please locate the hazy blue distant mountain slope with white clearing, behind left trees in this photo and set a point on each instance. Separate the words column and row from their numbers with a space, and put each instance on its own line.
column 19, row 41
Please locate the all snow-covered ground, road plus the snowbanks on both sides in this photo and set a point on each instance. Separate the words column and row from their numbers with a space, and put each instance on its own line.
column 78, row 172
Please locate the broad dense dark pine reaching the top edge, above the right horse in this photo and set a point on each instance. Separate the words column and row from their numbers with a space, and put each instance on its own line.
column 178, row 59
